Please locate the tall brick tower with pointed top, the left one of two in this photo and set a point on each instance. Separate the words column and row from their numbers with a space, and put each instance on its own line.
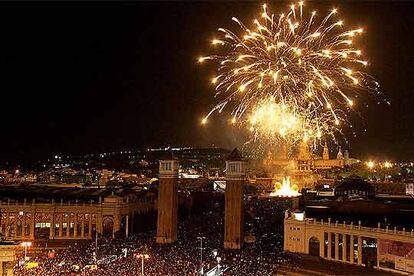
column 167, row 200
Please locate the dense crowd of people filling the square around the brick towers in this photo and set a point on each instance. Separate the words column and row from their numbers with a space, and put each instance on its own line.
column 263, row 219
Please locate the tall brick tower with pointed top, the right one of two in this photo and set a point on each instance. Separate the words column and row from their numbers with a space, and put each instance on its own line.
column 233, row 218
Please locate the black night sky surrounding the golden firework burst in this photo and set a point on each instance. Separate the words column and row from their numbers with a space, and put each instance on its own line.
column 87, row 77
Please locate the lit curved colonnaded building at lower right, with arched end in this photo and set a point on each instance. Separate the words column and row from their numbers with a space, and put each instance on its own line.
column 383, row 248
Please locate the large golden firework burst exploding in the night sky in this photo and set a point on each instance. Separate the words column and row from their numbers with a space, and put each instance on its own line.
column 292, row 76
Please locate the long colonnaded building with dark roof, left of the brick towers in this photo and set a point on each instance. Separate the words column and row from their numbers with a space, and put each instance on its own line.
column 30, row 212
